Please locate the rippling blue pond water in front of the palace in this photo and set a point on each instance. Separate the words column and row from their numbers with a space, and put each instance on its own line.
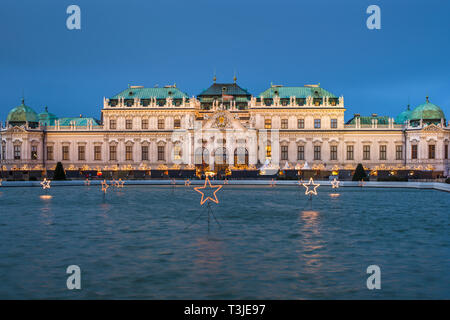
column 274, row 243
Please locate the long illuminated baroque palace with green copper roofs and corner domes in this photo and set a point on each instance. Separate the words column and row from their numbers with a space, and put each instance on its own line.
column 225, row 128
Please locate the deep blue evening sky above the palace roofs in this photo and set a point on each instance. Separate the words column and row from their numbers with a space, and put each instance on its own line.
column 283, row 42
